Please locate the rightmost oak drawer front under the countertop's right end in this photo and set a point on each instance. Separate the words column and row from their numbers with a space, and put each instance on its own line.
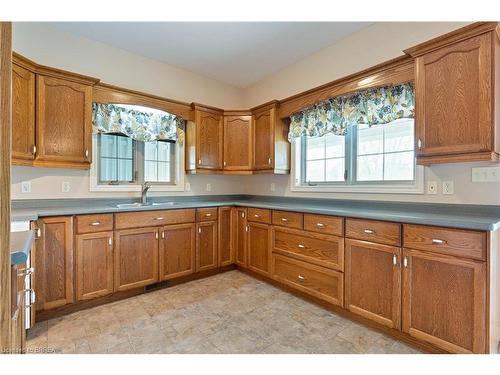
column 458, row 242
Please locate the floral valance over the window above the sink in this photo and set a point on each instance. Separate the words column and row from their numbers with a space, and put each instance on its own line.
column 140, row 124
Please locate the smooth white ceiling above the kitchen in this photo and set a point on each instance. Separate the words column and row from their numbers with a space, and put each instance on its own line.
column 237, row 53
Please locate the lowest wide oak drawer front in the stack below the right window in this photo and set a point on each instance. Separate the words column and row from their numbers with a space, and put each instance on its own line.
column 317, row 281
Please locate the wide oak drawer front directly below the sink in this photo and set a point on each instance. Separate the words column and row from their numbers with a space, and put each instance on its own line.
column 153, row 218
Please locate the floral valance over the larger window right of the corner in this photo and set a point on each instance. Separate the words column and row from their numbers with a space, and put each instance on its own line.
column 373, row 106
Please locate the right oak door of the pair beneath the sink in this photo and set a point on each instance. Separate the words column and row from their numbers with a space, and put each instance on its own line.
column 177, row 250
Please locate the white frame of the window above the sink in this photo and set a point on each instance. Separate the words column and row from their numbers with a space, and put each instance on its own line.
column 177, row 186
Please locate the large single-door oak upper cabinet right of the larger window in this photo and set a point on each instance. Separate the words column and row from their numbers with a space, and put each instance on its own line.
column 455, row 87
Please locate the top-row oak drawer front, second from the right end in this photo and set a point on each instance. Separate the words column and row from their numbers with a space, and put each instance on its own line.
column 374, row 231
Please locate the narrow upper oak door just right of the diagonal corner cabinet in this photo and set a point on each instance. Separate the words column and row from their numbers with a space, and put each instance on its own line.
column 263, row 140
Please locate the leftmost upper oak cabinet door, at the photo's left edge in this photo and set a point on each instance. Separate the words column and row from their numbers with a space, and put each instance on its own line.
column 23, row 115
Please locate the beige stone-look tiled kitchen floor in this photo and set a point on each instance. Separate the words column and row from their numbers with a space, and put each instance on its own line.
column 227, row 313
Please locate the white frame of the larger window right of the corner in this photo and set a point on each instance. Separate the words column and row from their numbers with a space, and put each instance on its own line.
column 377, row 187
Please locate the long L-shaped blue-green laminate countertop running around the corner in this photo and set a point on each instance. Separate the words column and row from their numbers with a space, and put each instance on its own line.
column 476, row 217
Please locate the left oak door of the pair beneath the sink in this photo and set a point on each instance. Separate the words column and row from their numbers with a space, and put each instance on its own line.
column 136, row 258
